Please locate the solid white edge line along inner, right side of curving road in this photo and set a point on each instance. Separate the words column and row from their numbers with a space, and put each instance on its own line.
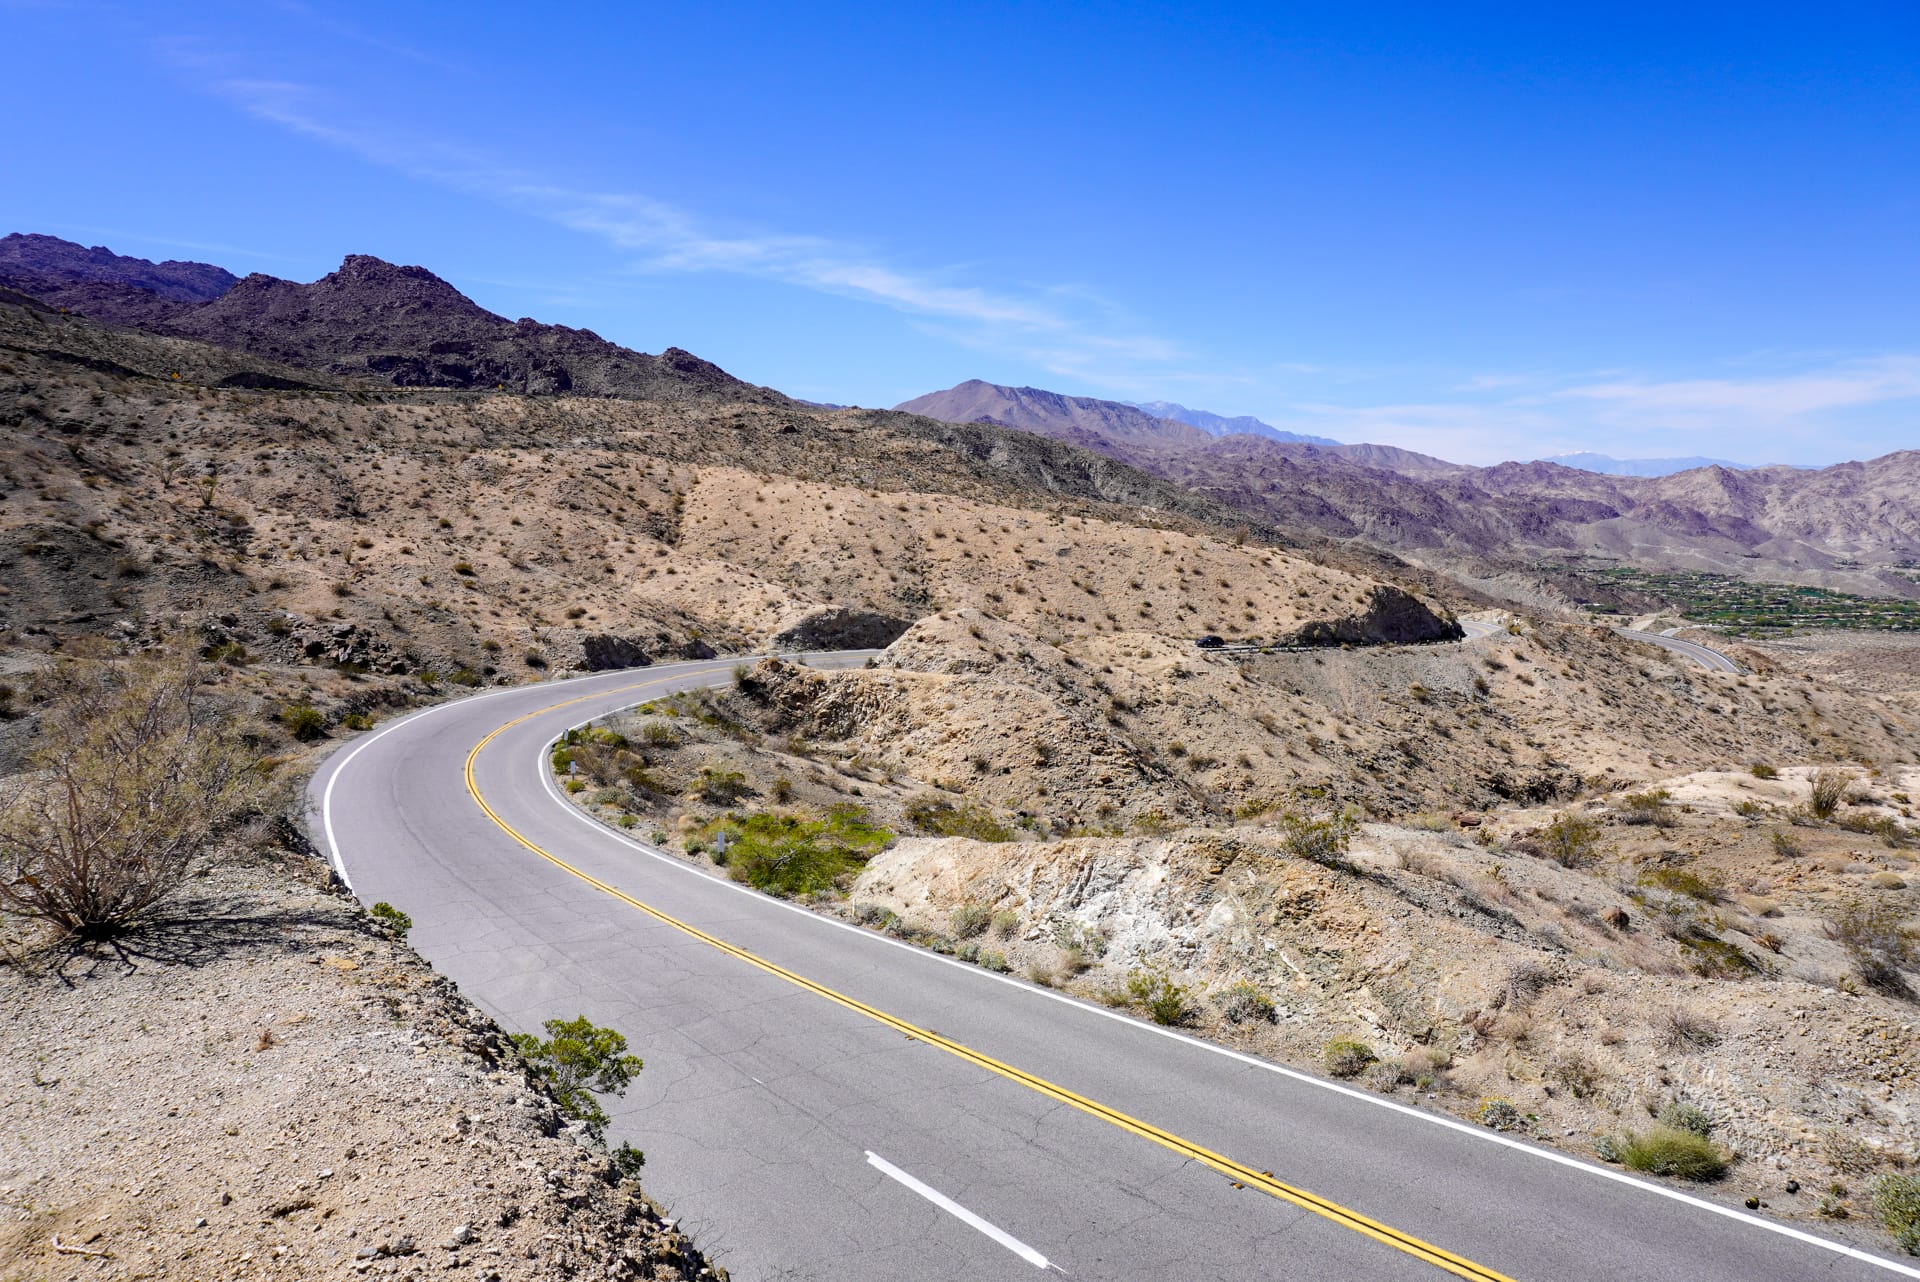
column 1308, row 1080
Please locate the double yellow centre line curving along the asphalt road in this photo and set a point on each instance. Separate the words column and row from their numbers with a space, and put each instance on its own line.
column 1093, row 1108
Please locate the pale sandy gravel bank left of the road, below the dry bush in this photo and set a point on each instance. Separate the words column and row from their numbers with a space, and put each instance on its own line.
column 268, row 1085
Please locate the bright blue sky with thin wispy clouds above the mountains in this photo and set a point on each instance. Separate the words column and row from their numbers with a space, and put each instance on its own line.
column 1476, row 231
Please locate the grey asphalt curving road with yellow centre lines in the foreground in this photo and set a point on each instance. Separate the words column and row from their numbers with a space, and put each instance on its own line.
column 823, row 1103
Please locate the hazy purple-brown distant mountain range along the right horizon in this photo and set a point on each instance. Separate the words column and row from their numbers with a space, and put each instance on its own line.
column 1798, row 525
